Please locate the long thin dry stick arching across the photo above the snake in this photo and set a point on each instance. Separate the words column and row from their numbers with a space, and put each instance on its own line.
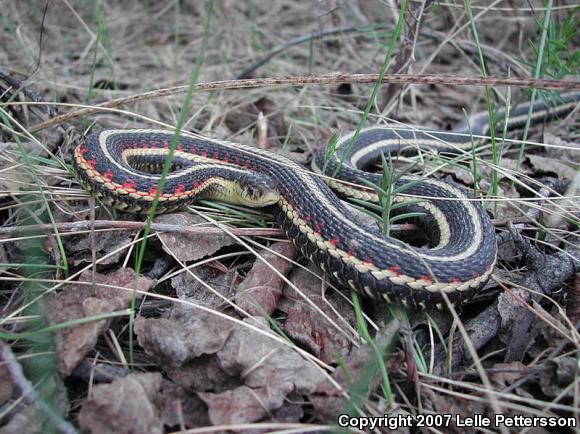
column 318, row 79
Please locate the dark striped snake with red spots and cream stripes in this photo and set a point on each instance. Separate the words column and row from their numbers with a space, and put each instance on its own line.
column 123, row 167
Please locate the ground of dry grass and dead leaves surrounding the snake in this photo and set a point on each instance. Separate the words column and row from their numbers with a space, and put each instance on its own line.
column 210, row 320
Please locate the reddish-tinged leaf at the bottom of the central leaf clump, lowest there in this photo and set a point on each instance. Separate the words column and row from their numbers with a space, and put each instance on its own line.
column 244, row 404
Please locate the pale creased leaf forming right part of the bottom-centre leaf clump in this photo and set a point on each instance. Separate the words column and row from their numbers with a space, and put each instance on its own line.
column 264, row 362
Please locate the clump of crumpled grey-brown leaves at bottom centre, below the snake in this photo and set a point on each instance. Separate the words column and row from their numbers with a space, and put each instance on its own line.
column 200, row 349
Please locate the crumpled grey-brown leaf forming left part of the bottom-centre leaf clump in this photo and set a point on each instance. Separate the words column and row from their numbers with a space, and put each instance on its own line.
column 186, row 334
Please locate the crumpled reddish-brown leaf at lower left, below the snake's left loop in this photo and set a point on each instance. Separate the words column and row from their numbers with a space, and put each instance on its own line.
column 78, row 301
